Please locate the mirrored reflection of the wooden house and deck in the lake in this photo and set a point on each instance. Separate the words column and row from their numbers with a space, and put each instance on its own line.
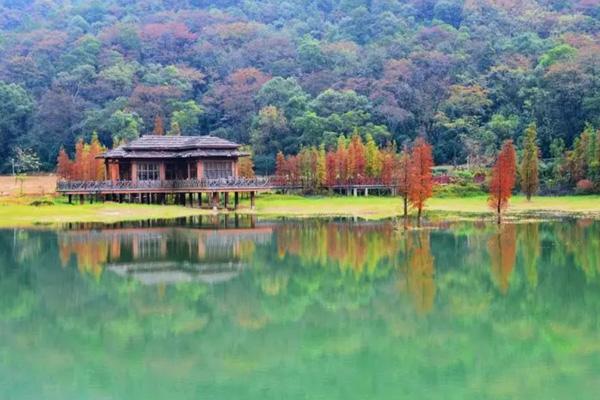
column 164, row 255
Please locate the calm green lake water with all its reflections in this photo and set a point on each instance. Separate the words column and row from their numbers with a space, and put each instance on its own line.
column 300, row 310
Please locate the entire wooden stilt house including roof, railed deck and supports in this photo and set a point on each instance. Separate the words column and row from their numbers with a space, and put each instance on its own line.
column 179, row 169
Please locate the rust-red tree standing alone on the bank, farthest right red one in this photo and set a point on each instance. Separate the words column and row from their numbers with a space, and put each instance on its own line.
column 503, row 179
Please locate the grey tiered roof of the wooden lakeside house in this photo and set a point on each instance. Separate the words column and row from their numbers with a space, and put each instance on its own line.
column 154, row 146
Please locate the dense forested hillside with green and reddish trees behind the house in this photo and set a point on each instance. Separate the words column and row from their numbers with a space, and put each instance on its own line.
column 283, row 75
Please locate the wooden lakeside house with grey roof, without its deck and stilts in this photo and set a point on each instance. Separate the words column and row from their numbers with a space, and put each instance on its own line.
column 170, row 158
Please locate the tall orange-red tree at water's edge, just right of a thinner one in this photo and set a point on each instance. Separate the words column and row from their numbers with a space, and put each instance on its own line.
column 421, row 187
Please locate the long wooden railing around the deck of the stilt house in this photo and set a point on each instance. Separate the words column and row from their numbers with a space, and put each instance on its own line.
column 174, row 185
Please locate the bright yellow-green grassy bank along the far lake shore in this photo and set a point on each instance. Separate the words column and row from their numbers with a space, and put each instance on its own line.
column 18, row 211
